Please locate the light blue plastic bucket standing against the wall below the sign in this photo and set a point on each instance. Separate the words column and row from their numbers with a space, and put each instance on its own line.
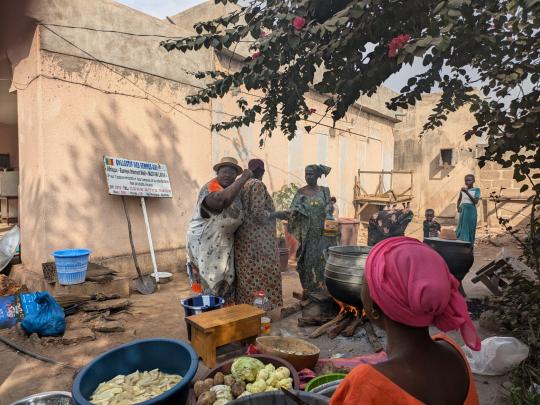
column 71, row 265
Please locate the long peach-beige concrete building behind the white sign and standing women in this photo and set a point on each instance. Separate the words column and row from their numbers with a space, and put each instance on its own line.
column 82, row 86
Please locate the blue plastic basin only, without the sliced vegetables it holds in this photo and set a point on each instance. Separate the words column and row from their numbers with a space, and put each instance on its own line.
column 168, row 355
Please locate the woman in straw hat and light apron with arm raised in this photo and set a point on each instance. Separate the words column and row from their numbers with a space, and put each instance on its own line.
column 210, row 237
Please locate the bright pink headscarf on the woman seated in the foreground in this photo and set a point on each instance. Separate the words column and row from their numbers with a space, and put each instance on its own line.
column 411, row 284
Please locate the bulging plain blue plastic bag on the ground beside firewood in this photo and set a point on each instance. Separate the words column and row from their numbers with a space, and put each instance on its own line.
column 49, row 318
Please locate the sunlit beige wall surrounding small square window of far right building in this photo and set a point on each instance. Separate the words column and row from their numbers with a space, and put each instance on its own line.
column 434, row 186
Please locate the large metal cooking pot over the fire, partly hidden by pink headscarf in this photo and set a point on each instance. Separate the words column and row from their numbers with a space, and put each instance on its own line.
column 344, row 273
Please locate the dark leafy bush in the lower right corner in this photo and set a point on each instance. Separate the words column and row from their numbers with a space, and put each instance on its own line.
column 518, row 310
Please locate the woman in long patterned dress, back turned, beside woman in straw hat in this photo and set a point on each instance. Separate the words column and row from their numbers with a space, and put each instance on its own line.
column 255, row 245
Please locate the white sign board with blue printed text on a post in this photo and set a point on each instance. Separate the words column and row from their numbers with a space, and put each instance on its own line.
column 136, row 178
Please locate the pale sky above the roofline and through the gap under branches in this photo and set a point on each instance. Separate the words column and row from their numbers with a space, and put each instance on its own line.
column 164, row 8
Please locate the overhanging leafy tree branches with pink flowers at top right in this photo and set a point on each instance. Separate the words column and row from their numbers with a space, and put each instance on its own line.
column 349, row 42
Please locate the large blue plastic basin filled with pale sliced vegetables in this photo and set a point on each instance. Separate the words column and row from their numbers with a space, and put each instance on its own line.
column 147, row 371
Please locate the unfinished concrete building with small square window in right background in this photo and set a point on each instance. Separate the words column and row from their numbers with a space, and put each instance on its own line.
column 441, row 158
